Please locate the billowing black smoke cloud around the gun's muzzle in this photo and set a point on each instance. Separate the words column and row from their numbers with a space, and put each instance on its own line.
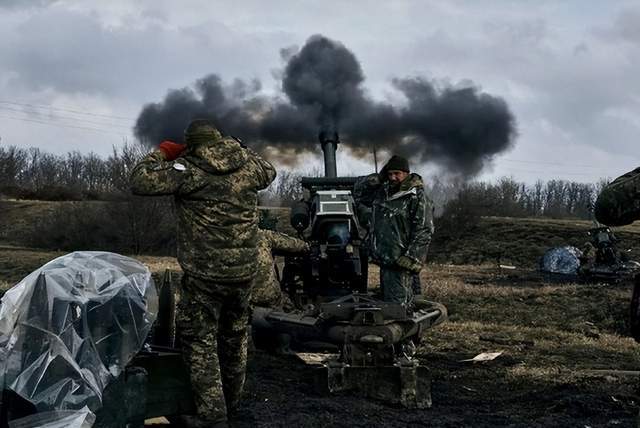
column 459, row 127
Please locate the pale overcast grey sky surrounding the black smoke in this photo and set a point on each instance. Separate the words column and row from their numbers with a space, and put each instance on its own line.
column 74, row 74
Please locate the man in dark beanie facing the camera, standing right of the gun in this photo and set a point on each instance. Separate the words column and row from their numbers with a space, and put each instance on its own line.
column 401, row 226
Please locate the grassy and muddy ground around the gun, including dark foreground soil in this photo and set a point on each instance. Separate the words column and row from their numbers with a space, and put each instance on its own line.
column 566, row 359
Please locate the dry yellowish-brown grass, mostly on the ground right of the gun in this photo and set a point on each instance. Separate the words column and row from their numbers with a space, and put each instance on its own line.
column 551, row 335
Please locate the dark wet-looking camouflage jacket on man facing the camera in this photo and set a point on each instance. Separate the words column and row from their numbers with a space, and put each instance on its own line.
column 400, row 223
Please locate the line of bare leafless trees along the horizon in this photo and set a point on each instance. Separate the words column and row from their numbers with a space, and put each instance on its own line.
column 30, row 173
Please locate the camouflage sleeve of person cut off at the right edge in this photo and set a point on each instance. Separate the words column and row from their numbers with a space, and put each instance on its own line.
column 619, row 202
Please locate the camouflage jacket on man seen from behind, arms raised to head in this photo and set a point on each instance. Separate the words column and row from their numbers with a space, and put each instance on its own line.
column 215, row 187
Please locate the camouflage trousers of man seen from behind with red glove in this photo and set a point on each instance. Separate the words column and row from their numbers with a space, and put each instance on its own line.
column 212, row 328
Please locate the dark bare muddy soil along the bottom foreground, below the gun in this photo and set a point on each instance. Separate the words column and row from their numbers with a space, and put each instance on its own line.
column 279, row 393
